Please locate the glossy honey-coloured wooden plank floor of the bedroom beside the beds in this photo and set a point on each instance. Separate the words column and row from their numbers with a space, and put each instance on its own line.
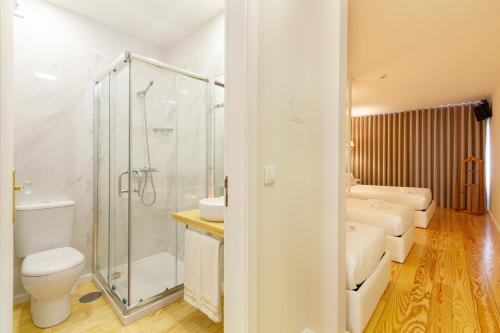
column 450, row 281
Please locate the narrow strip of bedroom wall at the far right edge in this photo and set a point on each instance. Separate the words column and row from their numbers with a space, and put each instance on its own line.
column 495, row 157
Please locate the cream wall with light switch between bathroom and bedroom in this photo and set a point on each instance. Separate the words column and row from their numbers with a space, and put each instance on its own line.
column 300, row 130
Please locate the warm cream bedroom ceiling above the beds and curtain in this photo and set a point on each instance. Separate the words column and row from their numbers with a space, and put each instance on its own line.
column 433, row 53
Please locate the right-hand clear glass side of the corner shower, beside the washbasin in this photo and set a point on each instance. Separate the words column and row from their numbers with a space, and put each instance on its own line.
column 168, row 172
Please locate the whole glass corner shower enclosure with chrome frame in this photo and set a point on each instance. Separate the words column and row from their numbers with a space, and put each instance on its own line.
column 154, row 155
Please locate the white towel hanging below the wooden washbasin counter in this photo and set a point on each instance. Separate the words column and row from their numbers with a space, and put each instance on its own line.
column 201, row 274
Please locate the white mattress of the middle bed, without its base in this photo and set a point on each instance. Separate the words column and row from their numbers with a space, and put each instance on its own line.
column 395, row 219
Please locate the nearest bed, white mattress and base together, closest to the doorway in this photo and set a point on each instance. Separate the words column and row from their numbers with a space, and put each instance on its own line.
column 367, row 273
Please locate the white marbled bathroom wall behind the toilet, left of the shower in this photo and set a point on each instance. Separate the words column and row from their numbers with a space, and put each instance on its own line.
column 54, row 119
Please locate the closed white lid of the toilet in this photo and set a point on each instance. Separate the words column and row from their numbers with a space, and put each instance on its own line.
column 51, row 261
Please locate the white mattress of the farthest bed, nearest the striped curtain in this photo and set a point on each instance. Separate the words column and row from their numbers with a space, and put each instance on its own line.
column 416, row 197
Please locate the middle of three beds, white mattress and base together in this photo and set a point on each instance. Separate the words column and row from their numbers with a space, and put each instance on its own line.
column 396, row 220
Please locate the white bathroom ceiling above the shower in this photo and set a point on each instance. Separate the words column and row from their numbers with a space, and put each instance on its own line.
column 161, row 22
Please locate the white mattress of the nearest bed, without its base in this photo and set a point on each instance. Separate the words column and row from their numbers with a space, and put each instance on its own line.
column 365, row 246
